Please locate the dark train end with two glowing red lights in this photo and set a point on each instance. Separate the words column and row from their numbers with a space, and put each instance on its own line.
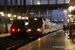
column 18, row 28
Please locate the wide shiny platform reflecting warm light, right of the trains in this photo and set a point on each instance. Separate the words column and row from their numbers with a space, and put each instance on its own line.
column 54, row 41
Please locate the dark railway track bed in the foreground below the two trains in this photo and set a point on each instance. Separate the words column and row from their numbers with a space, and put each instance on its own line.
column 7, row 43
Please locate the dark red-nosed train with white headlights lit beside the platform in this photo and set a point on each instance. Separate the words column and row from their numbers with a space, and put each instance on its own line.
column 40, row 26
